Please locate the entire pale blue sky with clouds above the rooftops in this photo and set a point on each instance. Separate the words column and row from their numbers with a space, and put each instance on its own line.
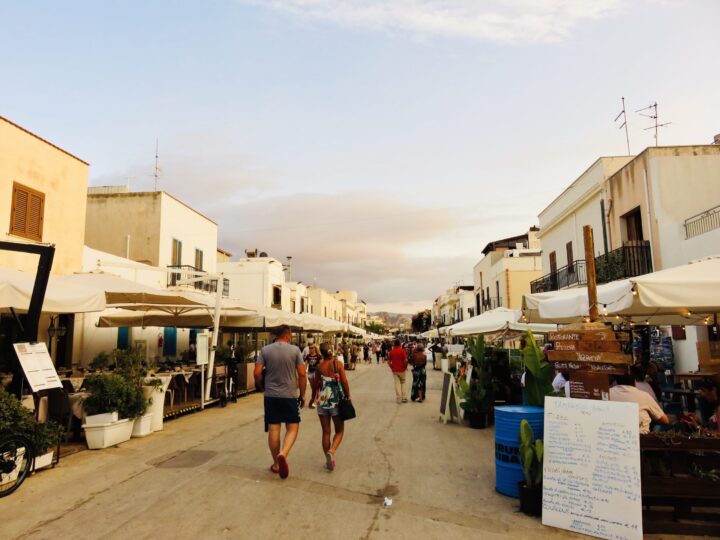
column 380, row 143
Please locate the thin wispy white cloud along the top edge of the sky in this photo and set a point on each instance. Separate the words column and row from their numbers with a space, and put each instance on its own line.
column 504, row 21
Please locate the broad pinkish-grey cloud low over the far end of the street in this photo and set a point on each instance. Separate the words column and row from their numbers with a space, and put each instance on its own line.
column 356, row 240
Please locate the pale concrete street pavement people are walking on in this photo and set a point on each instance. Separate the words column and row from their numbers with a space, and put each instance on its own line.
column 207, row 476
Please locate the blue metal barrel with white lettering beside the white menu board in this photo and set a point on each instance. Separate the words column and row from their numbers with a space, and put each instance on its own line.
column 508, row 469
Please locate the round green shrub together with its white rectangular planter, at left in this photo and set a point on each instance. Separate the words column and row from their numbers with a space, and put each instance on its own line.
column 118, row 397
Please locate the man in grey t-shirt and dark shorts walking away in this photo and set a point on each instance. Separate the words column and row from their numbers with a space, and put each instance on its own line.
column 284, row 377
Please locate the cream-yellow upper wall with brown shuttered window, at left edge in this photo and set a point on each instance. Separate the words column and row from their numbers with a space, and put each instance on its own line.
column 42, row 198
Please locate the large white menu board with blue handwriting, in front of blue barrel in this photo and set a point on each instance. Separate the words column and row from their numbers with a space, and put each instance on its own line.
column 591, row 468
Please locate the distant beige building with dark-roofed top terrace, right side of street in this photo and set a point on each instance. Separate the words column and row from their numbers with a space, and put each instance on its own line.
column 503, row 275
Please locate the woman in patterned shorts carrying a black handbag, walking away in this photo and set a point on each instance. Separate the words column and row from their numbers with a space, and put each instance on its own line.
column 330, row 386
